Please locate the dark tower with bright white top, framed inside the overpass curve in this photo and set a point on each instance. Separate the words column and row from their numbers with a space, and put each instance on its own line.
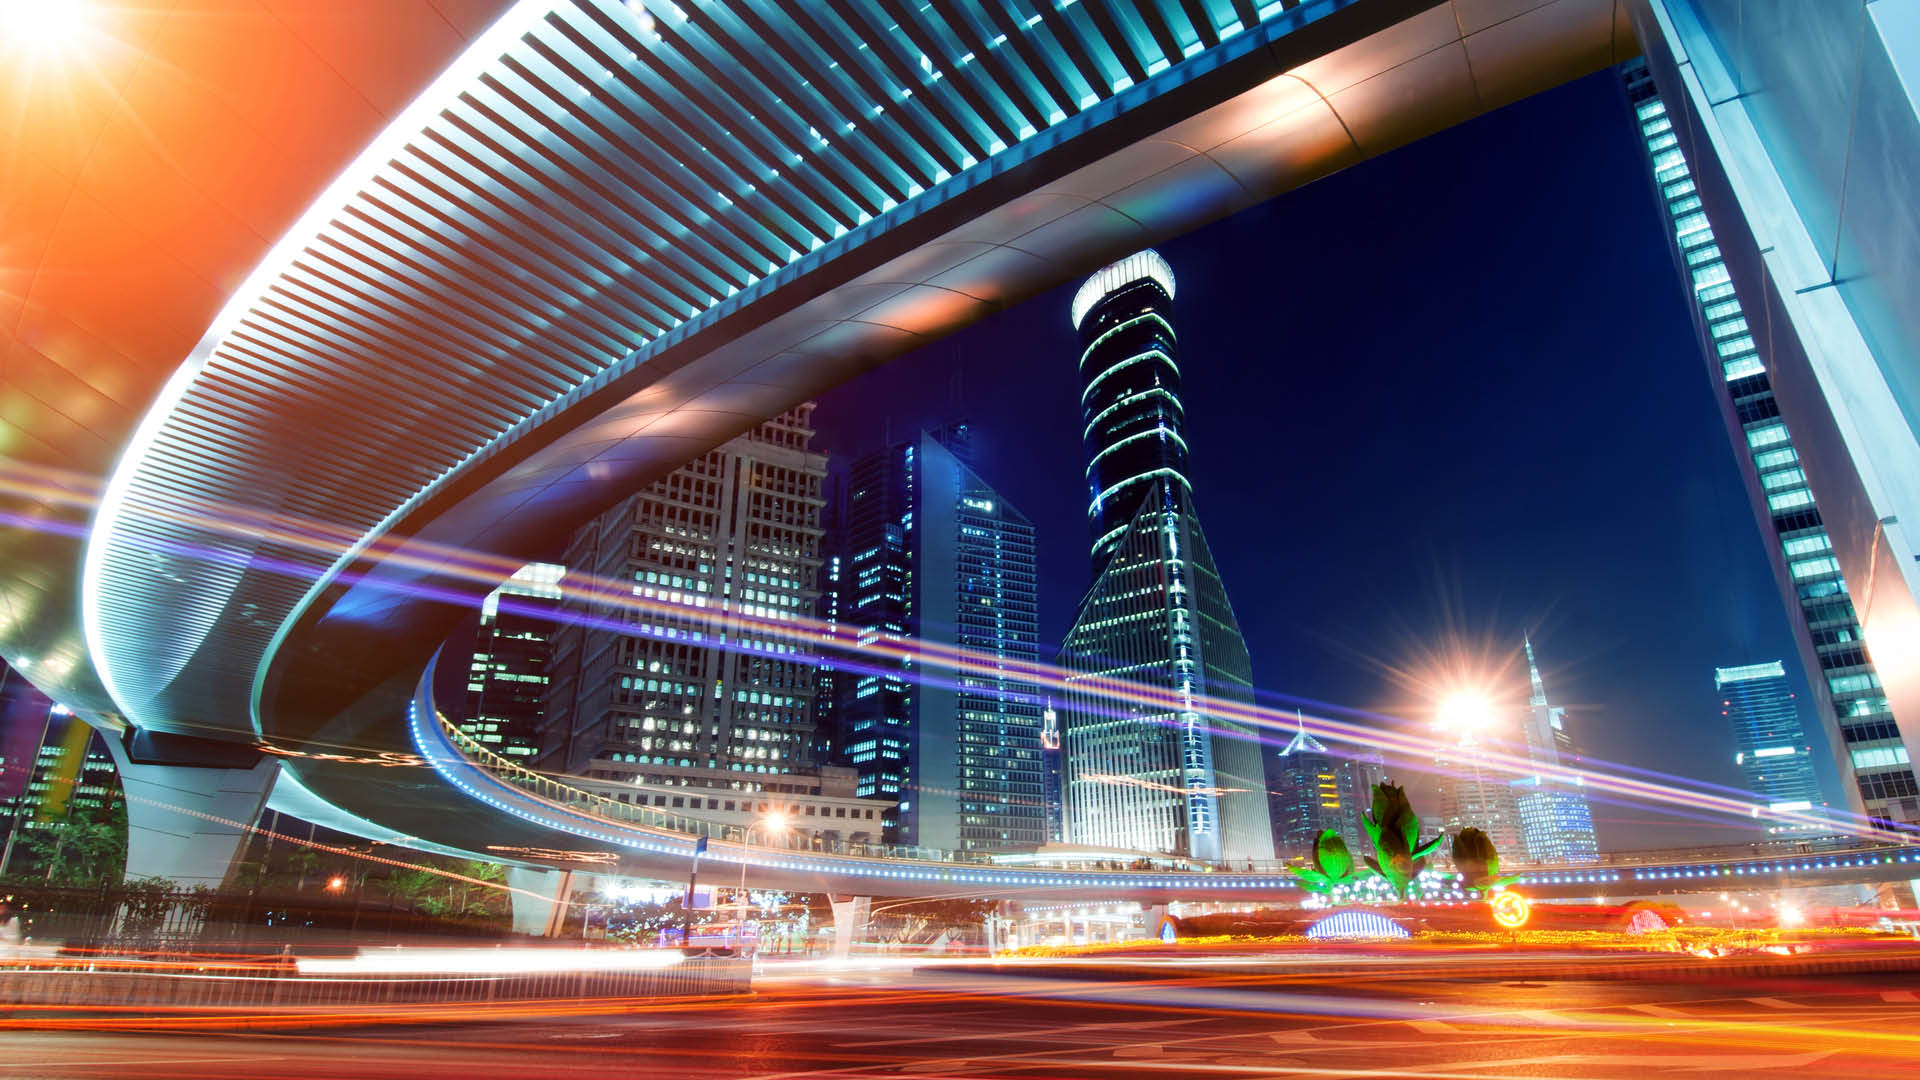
column 508, row 677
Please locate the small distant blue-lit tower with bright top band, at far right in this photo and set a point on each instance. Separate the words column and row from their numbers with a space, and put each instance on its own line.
column 1769, row 739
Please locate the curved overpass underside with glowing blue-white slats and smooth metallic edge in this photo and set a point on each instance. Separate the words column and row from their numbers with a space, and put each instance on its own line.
column 608, row 239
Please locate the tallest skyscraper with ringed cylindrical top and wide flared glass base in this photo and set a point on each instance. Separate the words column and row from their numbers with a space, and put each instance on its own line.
column 1168, row 777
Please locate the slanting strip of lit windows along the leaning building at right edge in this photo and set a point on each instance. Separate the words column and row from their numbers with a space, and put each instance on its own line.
column 1848, row 695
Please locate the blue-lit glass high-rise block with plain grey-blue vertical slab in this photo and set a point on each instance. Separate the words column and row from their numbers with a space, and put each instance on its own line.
column 938, row 558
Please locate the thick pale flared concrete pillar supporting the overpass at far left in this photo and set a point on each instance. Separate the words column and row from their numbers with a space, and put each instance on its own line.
column 189, row 822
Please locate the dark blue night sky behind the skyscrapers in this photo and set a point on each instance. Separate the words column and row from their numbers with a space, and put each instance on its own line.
column 1443, row 397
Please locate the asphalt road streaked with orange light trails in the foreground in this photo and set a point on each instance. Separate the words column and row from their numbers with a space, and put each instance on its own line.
column 980, row 1025
